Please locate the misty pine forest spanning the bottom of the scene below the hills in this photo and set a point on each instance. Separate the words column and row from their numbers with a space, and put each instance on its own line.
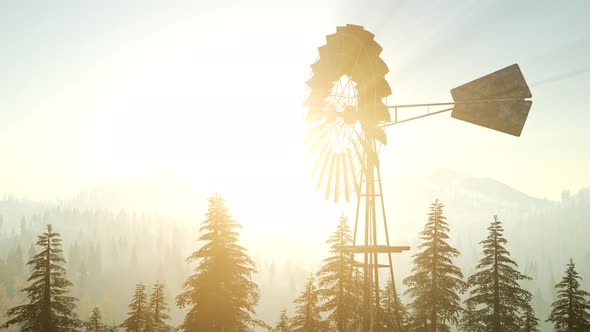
column 128, row 272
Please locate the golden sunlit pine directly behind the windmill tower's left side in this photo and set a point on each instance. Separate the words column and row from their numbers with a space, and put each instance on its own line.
column 335, row 280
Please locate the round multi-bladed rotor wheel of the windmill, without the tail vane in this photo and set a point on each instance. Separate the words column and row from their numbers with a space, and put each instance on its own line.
column 345, row 109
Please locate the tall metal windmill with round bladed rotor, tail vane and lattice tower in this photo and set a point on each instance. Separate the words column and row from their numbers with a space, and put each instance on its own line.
column 346, row 120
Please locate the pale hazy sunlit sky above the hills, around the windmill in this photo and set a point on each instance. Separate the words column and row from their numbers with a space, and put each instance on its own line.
column 213, row 90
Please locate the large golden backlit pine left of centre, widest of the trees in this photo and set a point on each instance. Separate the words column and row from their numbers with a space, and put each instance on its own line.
column 220, row 294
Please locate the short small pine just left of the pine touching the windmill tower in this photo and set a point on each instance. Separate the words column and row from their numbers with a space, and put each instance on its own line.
column 307, row 312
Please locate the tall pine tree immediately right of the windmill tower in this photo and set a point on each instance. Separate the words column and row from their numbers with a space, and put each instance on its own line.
column 436, row 281
